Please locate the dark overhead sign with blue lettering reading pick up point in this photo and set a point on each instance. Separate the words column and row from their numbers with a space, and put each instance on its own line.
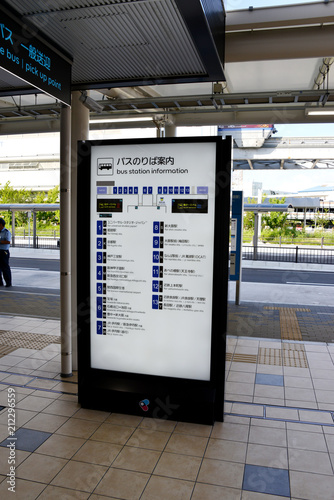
column 24, row 54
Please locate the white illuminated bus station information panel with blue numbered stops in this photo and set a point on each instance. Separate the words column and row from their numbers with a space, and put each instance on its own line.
column 152, row 235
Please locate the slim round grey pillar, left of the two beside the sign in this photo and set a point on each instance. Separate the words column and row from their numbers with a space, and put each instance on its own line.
column 65, row 242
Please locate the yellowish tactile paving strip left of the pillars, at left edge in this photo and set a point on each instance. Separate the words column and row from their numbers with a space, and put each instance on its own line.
column 15, row 340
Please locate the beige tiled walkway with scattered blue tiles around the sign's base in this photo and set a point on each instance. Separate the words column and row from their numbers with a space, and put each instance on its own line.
column 276, row 441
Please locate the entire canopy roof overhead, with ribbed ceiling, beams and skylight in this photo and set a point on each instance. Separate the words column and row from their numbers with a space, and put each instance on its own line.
column 162, row 59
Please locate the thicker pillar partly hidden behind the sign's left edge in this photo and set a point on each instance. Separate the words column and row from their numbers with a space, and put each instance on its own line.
column 79, row 132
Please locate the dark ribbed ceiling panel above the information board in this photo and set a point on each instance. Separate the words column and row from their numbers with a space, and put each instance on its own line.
column 121, row 41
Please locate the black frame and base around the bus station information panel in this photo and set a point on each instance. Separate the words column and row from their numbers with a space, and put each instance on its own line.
column 171, row 398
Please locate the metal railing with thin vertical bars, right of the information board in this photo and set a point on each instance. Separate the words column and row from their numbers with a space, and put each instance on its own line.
column 297, row 254
